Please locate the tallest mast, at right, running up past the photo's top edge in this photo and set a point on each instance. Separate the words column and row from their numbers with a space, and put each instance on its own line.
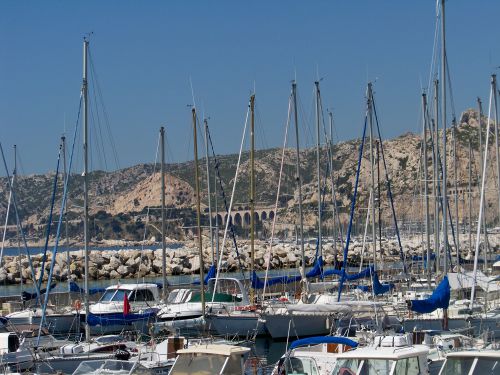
column 443, row 124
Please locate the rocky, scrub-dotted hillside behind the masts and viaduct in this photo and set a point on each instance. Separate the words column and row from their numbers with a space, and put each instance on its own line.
column 120, row 199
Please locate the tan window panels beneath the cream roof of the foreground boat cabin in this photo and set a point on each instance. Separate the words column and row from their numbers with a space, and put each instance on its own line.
column 198, row 364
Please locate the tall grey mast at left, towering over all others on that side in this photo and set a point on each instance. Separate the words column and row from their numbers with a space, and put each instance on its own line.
column 85, row 186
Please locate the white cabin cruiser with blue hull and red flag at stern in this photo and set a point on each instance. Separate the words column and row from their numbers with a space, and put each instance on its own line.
column 122, row 307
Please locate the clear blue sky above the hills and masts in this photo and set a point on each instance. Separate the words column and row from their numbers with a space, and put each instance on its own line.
column 146, row 51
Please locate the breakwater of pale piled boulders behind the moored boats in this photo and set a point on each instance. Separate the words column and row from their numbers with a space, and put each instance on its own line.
column 133, row 263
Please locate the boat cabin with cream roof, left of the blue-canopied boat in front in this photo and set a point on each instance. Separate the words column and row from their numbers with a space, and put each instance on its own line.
column 210, row 359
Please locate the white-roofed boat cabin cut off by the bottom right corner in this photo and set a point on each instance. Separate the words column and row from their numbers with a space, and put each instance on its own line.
column 472, row 362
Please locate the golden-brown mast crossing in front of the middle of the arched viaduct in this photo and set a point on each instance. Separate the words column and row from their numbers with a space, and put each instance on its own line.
column 252, row 193
